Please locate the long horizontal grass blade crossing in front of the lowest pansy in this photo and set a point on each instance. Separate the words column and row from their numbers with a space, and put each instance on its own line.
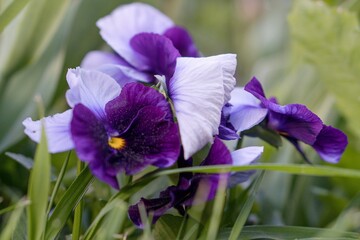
column 299, row 169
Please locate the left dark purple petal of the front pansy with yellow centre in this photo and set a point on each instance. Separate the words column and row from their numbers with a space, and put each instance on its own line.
column 90, row 140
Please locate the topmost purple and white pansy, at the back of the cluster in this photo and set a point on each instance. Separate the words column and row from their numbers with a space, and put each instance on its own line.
column 146, row 43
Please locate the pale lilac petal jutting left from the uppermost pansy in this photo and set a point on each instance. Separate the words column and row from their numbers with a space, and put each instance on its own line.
column 94, row 59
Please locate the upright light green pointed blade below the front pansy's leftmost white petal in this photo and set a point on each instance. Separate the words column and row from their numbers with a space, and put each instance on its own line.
column 38, row 190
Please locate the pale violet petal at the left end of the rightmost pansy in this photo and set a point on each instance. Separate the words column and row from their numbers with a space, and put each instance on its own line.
column 245, row 117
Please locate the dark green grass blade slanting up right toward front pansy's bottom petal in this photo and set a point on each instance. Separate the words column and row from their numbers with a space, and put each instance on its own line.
column 67, row 203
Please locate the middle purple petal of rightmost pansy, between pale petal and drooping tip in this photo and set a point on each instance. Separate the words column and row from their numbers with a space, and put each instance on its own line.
column 296, row 121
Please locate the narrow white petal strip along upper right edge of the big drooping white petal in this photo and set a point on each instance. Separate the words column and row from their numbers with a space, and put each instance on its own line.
column 228, row 64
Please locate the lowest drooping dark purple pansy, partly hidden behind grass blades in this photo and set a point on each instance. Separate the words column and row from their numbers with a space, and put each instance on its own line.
column 197, row 188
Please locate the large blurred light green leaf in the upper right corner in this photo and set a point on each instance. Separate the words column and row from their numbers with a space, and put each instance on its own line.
column 329, row 39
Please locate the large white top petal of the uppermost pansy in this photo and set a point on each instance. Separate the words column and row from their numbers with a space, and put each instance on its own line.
column 125, row 22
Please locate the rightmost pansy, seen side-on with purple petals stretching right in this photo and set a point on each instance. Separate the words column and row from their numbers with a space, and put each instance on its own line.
column 295, row 122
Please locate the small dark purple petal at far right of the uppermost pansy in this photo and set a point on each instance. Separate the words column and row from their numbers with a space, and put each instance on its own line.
column 182, row 41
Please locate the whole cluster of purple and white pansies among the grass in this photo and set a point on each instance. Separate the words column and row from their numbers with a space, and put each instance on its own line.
column 156, row 101
